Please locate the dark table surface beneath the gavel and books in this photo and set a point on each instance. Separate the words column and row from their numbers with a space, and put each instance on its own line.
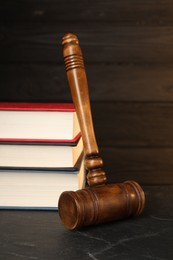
column 40, row 234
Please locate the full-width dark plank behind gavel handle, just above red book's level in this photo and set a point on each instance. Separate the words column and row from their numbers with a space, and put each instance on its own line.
column 123, row 82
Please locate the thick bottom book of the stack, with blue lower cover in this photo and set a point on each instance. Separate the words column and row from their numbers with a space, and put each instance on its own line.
column 40, row 190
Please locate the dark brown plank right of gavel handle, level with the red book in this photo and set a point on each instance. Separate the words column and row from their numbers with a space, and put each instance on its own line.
column 134, row 124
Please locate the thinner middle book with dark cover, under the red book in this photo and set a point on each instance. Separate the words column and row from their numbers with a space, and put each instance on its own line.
column 40, row 155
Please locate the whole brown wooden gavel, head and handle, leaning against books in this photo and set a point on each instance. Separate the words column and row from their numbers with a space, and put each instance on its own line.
column 99, row 202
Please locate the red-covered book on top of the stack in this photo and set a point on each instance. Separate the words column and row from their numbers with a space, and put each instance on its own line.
column 38, row 123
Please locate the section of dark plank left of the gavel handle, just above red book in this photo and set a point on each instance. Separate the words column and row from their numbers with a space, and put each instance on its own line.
column 34, row 83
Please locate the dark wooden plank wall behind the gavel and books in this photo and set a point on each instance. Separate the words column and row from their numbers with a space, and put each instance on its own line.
column 128, row 51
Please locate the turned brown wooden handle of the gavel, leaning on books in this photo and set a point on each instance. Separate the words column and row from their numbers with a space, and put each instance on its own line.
column 77, row 79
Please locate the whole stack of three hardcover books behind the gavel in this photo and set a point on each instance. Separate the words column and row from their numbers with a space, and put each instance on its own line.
column 40, row 154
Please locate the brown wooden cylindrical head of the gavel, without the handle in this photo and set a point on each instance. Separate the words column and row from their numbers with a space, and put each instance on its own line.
column 100, row 204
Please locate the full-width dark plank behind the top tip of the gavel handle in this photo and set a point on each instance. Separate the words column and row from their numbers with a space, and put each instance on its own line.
column 23, row 43
